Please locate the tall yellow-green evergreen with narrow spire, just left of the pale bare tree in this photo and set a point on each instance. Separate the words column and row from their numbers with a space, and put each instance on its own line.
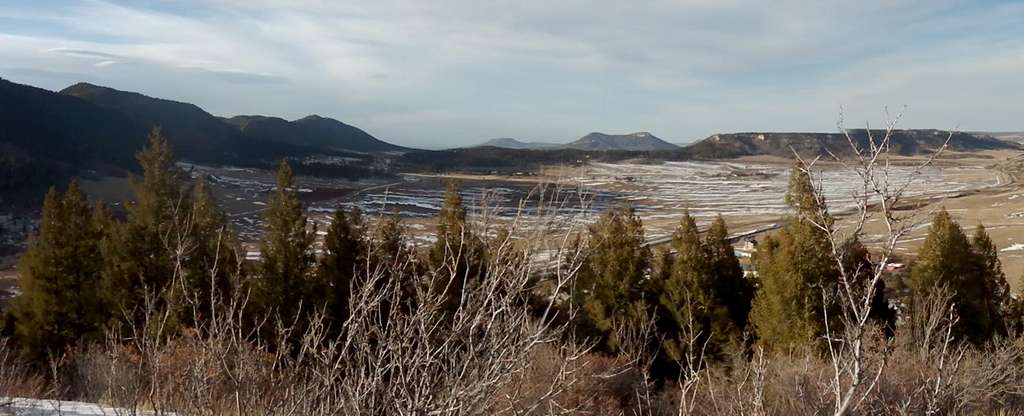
column 796, row 274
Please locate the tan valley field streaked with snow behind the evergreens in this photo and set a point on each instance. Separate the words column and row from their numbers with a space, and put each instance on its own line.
column 749, row 192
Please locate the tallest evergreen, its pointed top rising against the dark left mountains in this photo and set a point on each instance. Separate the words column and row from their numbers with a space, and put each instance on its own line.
column 138, row 254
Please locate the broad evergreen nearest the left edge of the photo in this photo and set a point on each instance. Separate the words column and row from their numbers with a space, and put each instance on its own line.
column 61, row 274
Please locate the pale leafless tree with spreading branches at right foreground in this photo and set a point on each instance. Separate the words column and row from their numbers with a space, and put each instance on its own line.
column 879, row 197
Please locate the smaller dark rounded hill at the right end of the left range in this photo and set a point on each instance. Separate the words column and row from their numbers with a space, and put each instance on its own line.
column 312, row 132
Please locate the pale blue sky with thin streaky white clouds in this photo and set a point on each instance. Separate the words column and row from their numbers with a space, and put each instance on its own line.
column 448, row 73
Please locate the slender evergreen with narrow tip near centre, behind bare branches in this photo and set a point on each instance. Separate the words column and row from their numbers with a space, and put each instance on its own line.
column 457, row 259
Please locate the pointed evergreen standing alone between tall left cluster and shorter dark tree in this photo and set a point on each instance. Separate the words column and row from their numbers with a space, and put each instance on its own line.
column 286, row 287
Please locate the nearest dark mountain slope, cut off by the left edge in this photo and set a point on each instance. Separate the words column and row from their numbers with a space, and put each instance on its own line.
column 48, row 137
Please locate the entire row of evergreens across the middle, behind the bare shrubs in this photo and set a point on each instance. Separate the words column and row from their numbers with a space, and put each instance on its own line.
column 90, row 275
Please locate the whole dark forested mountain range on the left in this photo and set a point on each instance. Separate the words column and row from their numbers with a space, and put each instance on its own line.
column 49, row 137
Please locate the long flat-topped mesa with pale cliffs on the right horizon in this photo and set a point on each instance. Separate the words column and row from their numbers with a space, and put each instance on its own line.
column 906, row 143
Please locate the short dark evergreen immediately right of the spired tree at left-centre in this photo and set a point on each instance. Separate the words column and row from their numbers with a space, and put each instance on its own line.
column 343, row 265
